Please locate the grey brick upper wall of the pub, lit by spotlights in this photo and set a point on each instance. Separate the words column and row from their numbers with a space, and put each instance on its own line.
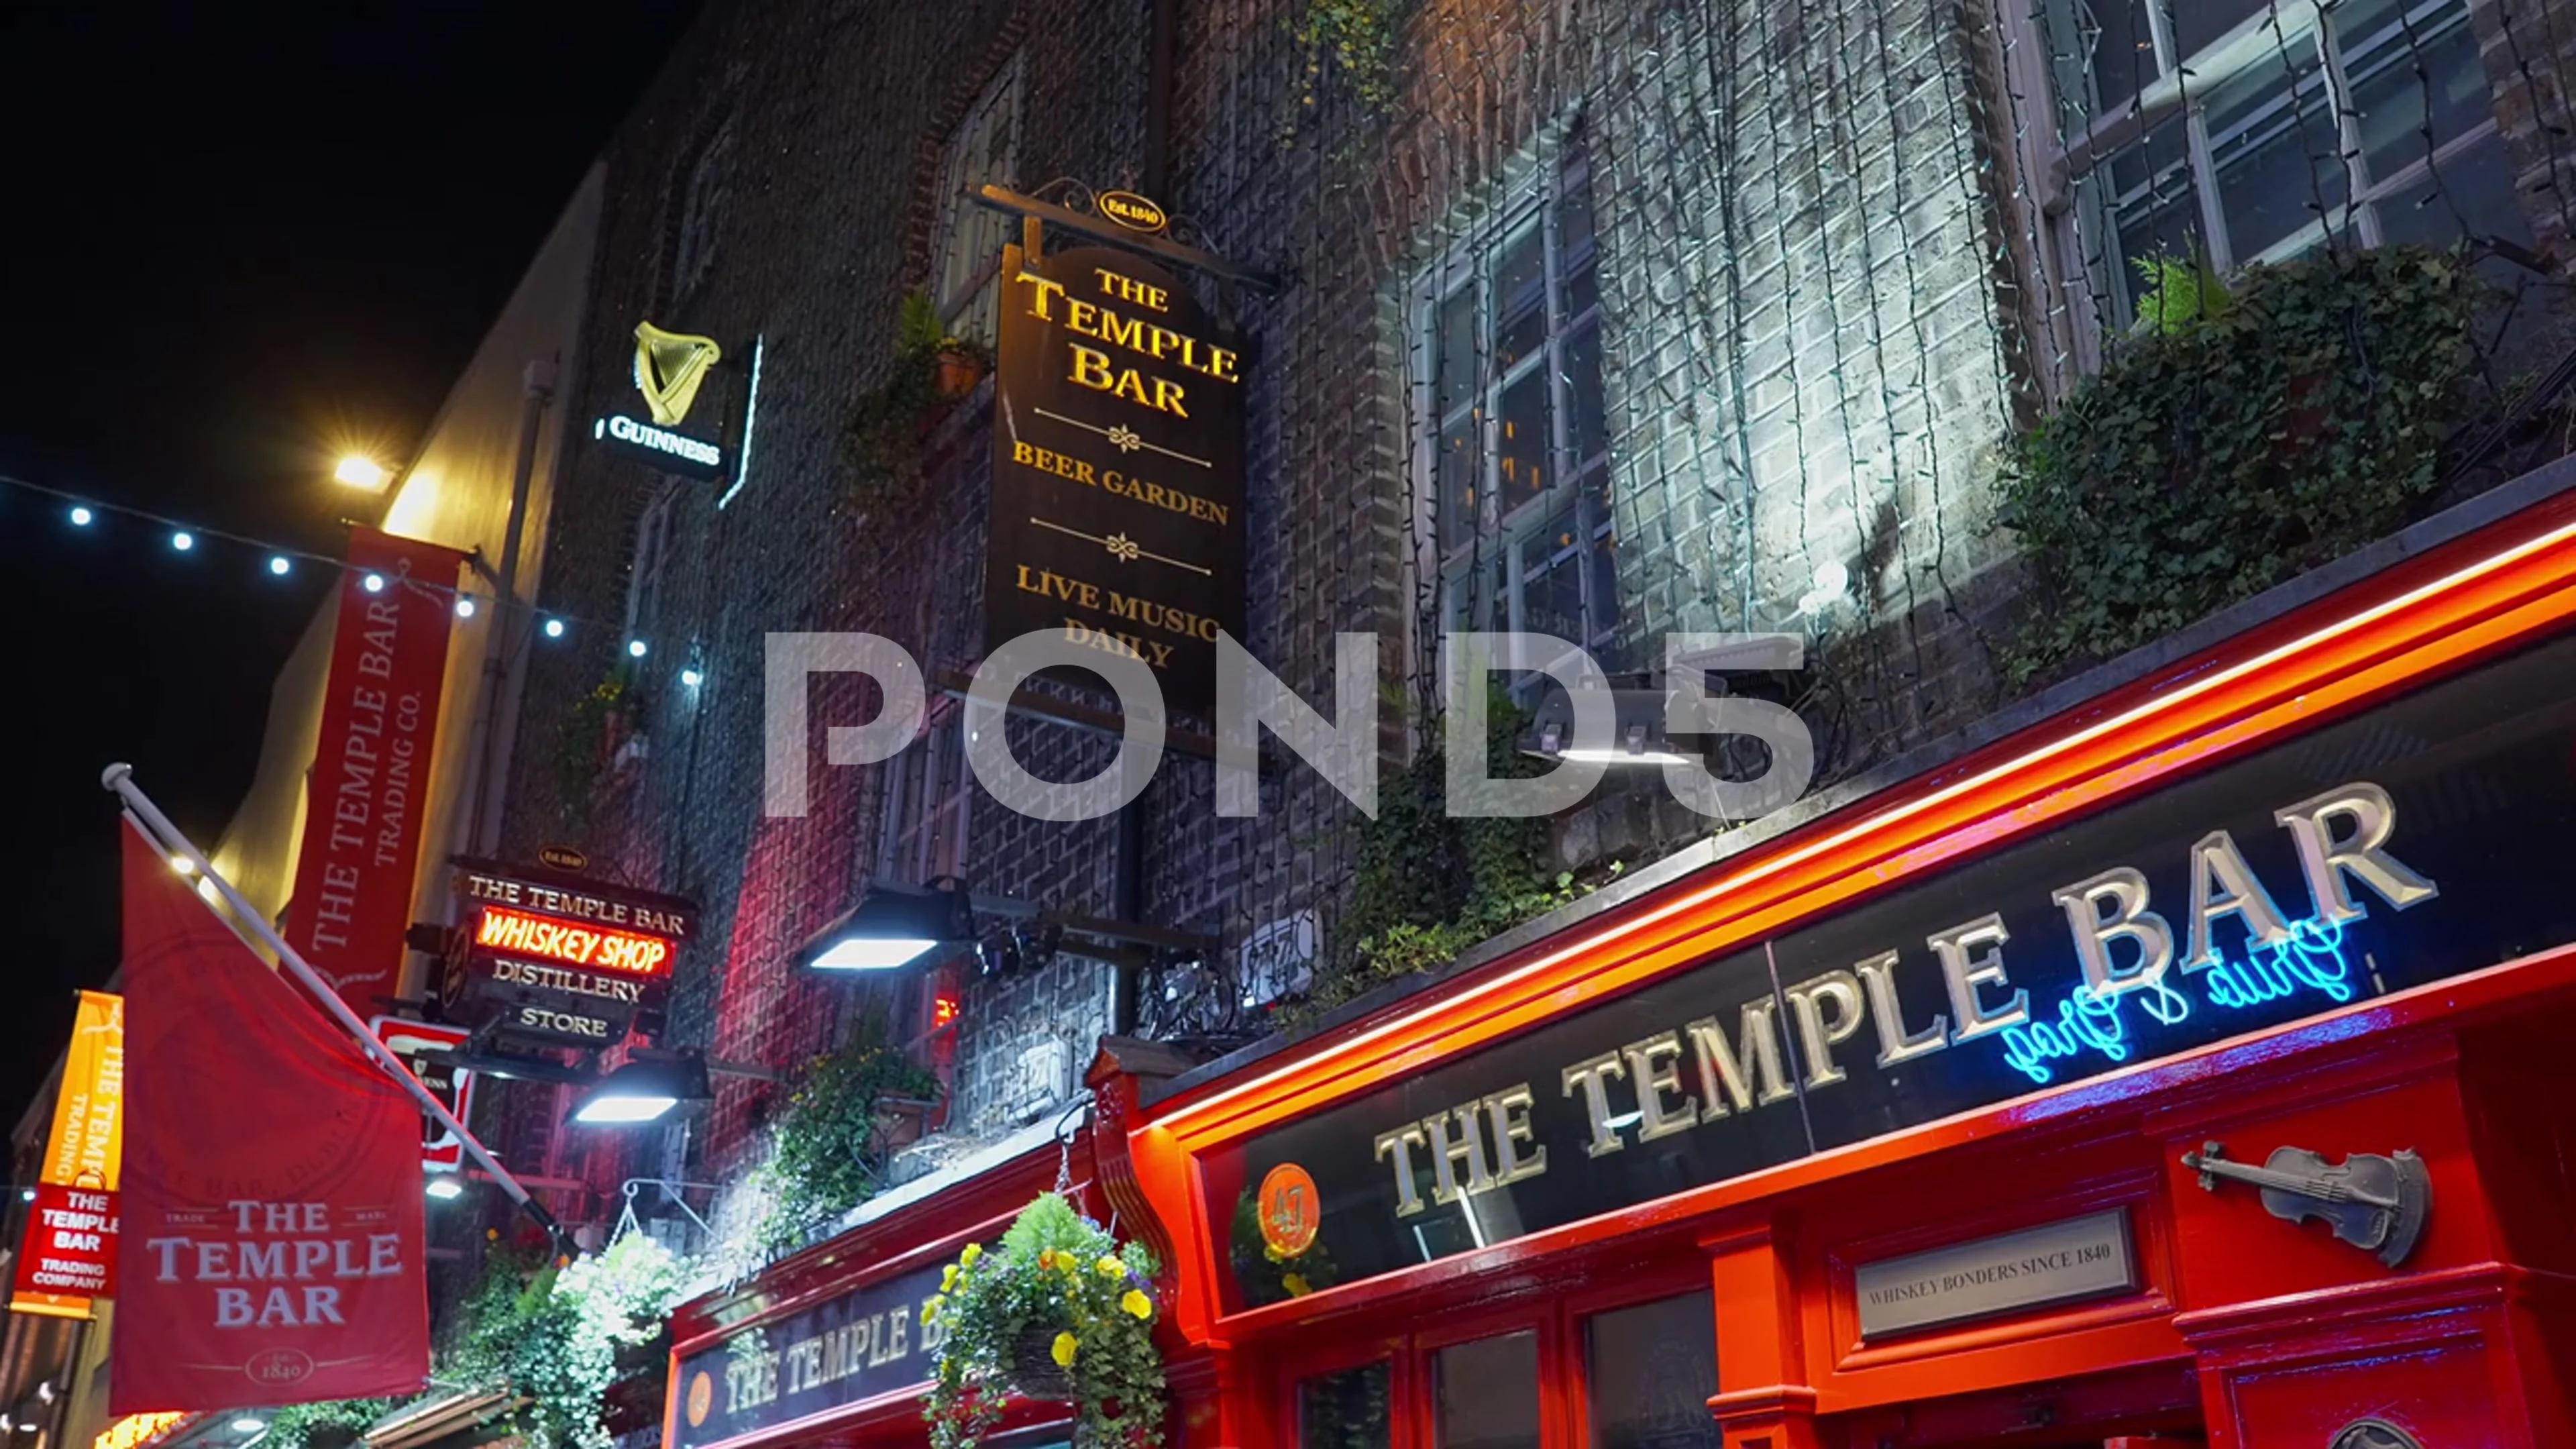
column 1820, row 316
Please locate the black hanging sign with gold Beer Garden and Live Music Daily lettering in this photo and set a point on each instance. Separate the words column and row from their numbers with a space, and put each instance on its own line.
column 1119, row 468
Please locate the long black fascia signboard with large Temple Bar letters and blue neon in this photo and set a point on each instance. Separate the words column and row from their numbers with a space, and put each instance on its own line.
column 2407, row 844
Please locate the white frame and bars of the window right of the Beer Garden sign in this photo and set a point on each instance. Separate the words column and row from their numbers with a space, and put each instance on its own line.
column 1513, row 543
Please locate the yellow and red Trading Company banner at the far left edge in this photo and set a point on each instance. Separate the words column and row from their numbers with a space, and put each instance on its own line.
column 71, row 1226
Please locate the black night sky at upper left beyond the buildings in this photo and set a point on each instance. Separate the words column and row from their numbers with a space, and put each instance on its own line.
column 233, row 244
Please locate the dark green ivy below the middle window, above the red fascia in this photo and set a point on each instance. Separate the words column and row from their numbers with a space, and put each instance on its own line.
column 1431, row 886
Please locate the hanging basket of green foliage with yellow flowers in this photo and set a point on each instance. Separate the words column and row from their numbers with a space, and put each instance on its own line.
column 1068, row 1293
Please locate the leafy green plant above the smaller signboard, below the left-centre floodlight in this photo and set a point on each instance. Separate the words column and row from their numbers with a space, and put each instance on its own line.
column 831, row 1143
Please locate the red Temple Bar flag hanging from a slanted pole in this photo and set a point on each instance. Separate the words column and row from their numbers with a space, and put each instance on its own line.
column 272, row 1182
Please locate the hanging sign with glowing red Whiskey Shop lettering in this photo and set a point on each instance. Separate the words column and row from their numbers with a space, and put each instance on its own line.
column 563, row 960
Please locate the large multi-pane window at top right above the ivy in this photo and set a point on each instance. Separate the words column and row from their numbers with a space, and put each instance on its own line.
column 2253, row 130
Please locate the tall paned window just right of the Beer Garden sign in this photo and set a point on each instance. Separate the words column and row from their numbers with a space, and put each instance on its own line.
column 1516, row 429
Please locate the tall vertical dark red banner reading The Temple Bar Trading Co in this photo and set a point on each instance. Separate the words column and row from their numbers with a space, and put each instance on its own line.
column 362, row 803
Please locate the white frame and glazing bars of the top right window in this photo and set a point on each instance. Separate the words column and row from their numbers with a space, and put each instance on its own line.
column 2080, row 205
